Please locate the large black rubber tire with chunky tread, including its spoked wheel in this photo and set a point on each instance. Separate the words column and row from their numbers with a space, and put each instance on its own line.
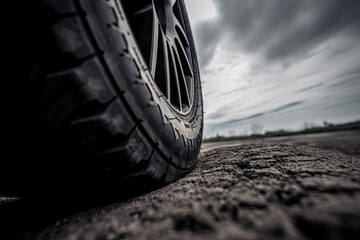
column 95, row 104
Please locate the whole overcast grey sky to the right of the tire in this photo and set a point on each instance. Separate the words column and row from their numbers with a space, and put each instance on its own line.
column 277, row 63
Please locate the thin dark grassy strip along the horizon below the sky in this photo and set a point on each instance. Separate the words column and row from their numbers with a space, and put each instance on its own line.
column 281, row 133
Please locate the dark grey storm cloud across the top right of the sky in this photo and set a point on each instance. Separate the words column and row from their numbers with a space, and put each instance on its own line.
column 276, row 29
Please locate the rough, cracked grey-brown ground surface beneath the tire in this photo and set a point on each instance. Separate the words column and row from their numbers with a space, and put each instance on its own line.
column 247, row 191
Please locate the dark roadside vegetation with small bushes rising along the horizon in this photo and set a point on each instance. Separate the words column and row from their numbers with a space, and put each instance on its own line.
column 308, row 128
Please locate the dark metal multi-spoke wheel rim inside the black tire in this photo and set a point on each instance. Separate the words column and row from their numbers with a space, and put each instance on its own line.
column 160, row 31
